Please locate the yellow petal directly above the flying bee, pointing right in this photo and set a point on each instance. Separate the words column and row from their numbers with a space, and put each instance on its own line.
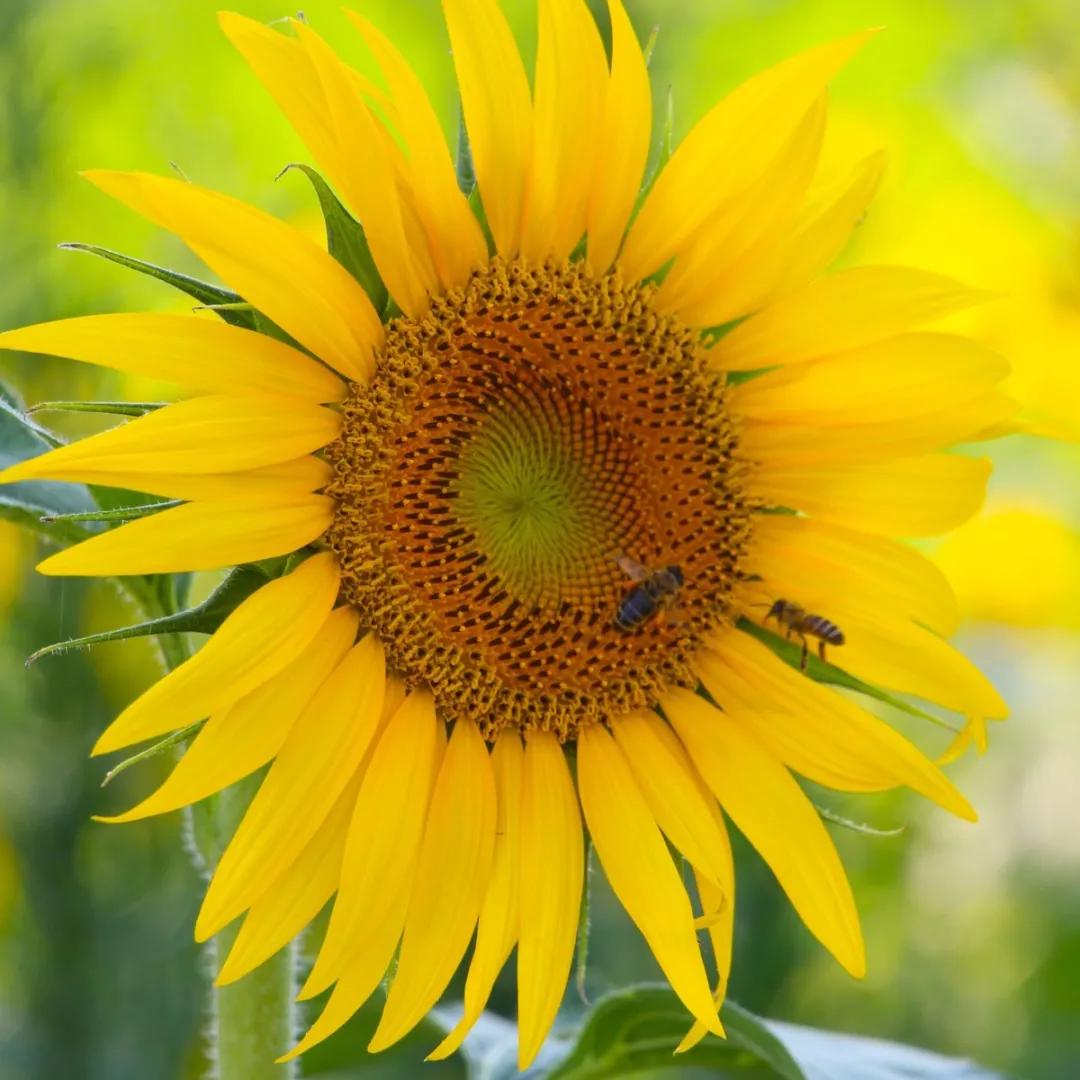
column 841, row 566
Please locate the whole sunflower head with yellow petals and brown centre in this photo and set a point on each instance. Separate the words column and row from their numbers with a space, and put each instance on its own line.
column 543, row 479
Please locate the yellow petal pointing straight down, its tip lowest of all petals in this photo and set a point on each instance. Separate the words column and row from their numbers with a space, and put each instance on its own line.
column 552, row 867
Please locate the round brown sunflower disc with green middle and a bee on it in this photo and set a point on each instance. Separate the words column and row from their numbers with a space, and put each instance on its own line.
column 538, row 508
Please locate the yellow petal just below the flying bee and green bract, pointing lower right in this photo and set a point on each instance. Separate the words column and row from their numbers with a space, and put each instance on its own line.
column 816, row 732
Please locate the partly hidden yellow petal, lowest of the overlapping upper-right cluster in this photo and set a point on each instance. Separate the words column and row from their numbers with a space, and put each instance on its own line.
column 819, row 236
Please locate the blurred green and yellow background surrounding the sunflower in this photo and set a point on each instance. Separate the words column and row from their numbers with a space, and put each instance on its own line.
column 974, row 933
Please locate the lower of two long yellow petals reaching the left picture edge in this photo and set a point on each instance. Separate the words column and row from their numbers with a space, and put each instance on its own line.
column 208, row 435
